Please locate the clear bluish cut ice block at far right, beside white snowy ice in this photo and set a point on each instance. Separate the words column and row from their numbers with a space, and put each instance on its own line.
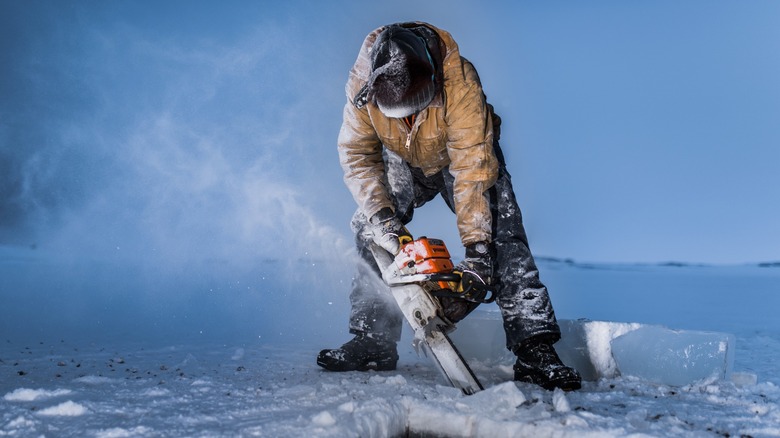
column 674, row 357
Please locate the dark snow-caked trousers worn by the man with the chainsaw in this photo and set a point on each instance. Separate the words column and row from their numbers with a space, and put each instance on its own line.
column 521, row 296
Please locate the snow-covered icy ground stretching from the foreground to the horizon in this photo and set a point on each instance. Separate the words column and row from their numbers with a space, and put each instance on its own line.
column 86, row 355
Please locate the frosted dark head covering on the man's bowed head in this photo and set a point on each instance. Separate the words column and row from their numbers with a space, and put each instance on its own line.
column 402, row 78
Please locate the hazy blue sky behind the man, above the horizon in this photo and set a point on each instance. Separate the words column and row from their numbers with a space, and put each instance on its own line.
column 634, row 131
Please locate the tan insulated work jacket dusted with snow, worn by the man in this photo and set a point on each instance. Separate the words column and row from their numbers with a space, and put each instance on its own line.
column 456, row 130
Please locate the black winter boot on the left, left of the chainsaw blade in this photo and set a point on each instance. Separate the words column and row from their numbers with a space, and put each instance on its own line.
column 364, row 352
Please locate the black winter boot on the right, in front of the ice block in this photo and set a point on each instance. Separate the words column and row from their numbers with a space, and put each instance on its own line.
column 538, row 363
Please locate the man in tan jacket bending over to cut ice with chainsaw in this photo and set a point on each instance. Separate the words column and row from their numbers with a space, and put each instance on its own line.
column 417, row 124
